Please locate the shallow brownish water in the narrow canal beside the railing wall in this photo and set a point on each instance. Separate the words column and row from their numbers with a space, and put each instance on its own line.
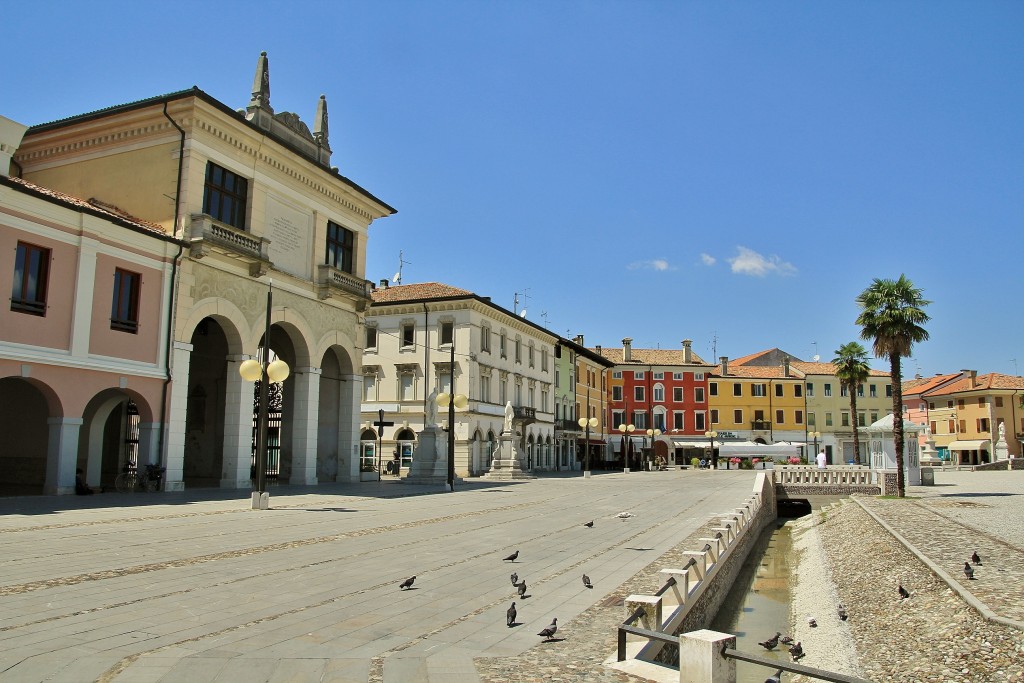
column 759, row 603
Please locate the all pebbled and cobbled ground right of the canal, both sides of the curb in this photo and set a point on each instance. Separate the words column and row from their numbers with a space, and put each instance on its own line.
column 935, row 635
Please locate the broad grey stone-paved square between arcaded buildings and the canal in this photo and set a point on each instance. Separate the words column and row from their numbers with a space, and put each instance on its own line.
column 195, row 586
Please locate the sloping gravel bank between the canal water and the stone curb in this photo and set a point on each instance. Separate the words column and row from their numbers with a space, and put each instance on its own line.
column 933, row 636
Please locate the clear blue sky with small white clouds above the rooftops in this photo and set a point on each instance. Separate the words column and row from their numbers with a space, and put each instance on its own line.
column 733, row 174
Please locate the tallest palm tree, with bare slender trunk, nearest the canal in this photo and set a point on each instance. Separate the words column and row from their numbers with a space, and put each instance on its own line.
column 892, row 315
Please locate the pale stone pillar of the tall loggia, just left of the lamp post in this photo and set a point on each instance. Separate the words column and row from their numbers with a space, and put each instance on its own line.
column 238, row 449
